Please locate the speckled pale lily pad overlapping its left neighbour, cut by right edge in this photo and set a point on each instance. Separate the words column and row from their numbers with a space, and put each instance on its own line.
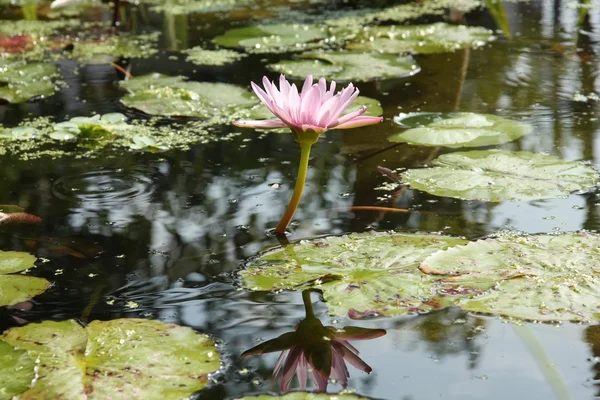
column 537, row 277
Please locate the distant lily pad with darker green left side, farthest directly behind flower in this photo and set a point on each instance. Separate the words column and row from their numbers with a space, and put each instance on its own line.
column 280, row 38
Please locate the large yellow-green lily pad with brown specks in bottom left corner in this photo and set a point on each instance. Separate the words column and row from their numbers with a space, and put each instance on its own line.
column 123, row 358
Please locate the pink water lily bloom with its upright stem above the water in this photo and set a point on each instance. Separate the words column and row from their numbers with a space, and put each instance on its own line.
column 308, row 113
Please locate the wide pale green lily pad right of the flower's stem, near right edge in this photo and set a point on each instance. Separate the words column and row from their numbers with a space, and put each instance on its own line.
column 496, row 175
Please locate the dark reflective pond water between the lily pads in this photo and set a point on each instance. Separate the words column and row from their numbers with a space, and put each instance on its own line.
column 169, row 231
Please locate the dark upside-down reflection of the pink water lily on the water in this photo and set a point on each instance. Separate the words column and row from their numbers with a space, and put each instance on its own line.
column 321, row 350
